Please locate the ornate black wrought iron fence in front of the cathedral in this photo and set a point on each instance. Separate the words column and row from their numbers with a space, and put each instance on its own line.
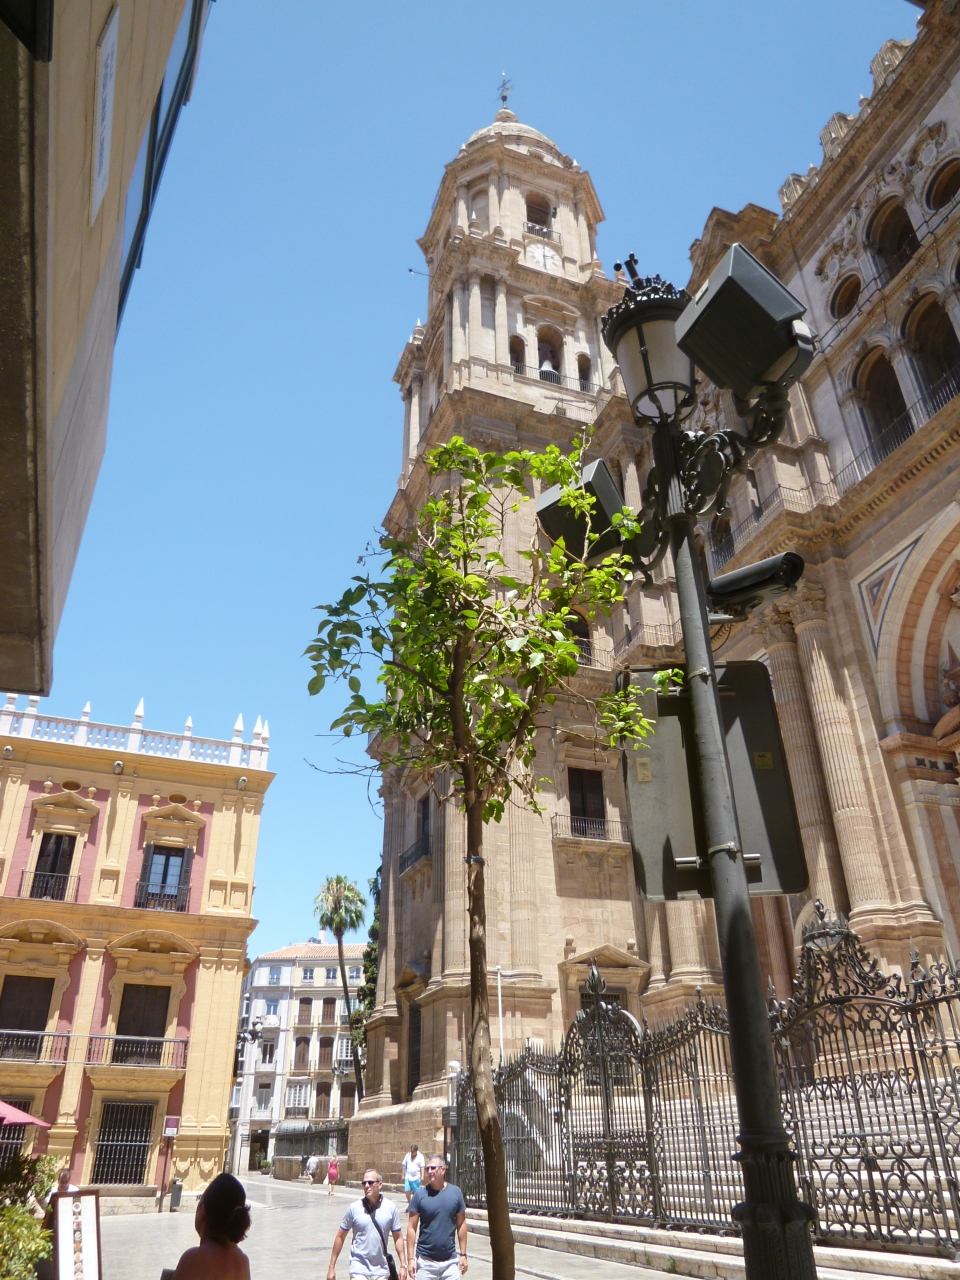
column 632, row 1122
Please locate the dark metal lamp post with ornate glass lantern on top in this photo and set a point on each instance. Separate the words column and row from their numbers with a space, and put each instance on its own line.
column 689, row 473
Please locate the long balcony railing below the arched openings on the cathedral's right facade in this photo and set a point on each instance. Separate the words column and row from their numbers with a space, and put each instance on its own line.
column 784, row 499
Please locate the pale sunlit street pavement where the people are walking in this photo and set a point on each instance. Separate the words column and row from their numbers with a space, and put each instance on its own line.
column 291, row 1238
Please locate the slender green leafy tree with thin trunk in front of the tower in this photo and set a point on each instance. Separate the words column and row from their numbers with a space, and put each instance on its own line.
column 473, row 641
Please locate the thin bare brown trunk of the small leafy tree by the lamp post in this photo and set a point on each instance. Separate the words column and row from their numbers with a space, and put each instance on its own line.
column 481, row 1062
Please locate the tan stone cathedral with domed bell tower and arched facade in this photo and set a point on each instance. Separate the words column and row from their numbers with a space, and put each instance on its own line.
column 865, row 660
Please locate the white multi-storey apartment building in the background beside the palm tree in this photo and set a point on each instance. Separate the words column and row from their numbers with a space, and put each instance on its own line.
column 296, row 1080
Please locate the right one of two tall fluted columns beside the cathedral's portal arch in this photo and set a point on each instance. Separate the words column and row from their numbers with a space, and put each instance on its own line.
column 853, row 819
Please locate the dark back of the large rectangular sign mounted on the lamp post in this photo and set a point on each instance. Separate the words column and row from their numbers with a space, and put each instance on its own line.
column 664, row 793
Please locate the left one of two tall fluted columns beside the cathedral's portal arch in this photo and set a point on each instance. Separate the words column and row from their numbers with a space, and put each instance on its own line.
column 775, row 628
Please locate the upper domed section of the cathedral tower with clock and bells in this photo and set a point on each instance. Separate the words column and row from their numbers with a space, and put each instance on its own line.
column 516, row 289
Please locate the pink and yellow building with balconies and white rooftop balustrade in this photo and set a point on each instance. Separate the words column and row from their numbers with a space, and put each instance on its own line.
column 126, row 892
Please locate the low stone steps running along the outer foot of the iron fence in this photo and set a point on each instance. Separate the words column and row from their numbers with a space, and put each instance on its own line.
column 705, row 1258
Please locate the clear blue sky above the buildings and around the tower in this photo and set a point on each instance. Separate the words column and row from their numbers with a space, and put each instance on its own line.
column 255, row 432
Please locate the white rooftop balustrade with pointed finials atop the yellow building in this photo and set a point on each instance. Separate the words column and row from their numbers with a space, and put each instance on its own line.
column 31, row 724
